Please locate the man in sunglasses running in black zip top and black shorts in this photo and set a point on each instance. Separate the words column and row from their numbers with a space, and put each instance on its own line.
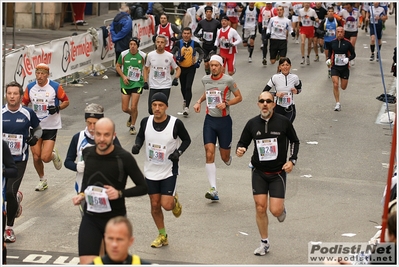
column 271, row 133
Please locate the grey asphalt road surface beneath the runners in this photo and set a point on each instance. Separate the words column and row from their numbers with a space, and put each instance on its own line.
column 335, row 188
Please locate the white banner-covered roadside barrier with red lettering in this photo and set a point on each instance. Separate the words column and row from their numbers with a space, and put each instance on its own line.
column 71, row 54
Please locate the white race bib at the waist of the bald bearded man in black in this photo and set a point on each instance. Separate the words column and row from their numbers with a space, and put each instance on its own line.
column 97, row 199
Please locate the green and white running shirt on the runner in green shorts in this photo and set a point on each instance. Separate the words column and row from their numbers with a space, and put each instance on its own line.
column 132, row 68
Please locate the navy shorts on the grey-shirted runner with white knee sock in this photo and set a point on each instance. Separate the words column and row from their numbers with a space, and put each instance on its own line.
column 220, row 128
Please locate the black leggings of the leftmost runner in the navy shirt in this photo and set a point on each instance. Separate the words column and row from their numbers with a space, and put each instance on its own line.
column 11, row 192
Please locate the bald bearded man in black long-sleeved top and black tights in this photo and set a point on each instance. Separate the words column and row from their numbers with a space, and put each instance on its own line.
column 103, row 187
